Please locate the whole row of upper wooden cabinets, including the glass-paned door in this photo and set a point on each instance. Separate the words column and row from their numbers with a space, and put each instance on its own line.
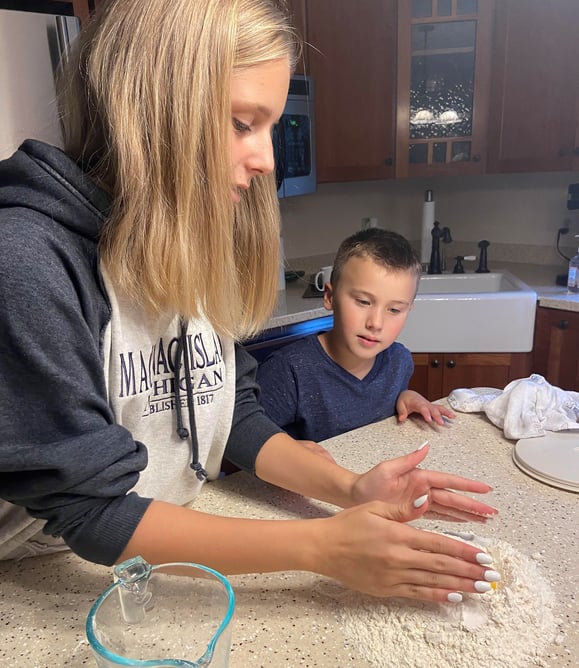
column 439, row 87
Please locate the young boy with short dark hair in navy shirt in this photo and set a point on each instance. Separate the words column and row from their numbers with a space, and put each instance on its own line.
column 356, row 373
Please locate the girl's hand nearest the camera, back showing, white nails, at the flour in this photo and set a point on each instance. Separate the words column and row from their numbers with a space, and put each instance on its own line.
column 368, row 549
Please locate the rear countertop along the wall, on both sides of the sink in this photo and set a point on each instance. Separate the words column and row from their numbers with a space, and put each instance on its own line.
column 293, row 308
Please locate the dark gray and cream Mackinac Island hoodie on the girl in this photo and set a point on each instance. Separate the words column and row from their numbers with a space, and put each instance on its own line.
column 102, row 409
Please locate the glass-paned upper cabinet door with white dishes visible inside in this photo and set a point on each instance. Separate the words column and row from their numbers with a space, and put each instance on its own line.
column 443, row 86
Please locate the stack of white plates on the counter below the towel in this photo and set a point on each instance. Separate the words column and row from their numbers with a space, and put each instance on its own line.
column 552, row 459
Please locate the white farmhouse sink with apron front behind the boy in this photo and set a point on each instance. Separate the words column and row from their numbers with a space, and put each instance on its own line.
column 471, row 313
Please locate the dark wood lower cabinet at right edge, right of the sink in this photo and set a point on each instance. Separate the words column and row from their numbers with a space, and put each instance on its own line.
column 556, row 347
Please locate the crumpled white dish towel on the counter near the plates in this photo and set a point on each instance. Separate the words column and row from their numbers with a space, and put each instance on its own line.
column 526, row 408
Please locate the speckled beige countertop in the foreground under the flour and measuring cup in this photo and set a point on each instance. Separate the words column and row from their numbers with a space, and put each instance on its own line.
column 286, row 619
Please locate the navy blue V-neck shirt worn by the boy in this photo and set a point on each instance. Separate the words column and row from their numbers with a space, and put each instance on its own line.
column 313, row 398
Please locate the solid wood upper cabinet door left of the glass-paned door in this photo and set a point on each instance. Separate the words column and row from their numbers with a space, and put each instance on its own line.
column 352, row 59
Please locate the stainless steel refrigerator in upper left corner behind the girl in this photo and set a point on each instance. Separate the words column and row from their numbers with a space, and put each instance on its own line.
column 31, row 46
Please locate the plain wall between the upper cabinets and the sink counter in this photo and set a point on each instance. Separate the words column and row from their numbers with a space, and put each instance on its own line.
column 514, row 210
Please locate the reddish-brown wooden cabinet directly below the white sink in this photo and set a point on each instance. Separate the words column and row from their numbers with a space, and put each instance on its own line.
column 437, row 374
